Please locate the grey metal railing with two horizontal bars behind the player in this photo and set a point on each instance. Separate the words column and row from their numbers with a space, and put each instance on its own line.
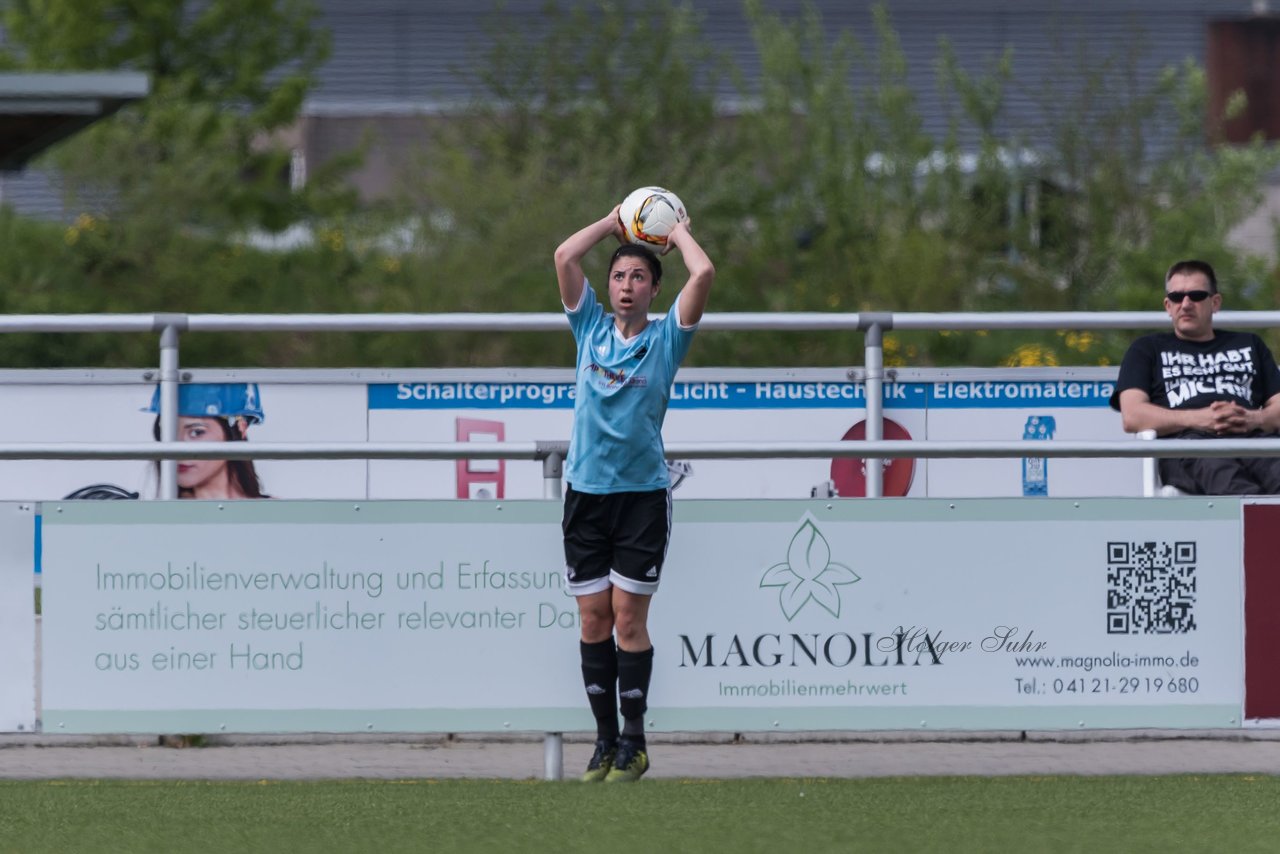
column 874, row 326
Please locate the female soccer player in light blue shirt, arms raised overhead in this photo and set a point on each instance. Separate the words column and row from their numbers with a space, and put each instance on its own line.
column 618, row 505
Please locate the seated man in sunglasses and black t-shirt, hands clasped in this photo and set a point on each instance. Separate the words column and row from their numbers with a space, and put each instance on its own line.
column 1200, row 383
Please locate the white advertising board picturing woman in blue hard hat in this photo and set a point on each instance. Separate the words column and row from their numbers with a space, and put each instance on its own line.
column 115, row 409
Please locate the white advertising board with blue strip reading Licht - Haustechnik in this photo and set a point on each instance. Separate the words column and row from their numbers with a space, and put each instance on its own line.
column 810, row 405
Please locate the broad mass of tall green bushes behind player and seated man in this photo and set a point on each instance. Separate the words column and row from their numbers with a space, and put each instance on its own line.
column 826, row 193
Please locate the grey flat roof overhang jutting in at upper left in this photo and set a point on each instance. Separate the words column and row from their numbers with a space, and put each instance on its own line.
column 38, row 111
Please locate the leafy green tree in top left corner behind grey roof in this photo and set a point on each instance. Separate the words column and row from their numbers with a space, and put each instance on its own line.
column 199, row 150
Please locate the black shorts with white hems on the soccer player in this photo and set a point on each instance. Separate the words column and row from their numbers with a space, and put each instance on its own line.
column 616, row 540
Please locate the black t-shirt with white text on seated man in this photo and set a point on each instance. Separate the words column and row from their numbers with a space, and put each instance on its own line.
column 1191, row 375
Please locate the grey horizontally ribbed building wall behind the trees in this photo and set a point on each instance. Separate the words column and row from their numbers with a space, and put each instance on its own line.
column 409, row 57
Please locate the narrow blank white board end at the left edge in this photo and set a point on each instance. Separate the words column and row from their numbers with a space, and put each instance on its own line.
column 17, row 619
